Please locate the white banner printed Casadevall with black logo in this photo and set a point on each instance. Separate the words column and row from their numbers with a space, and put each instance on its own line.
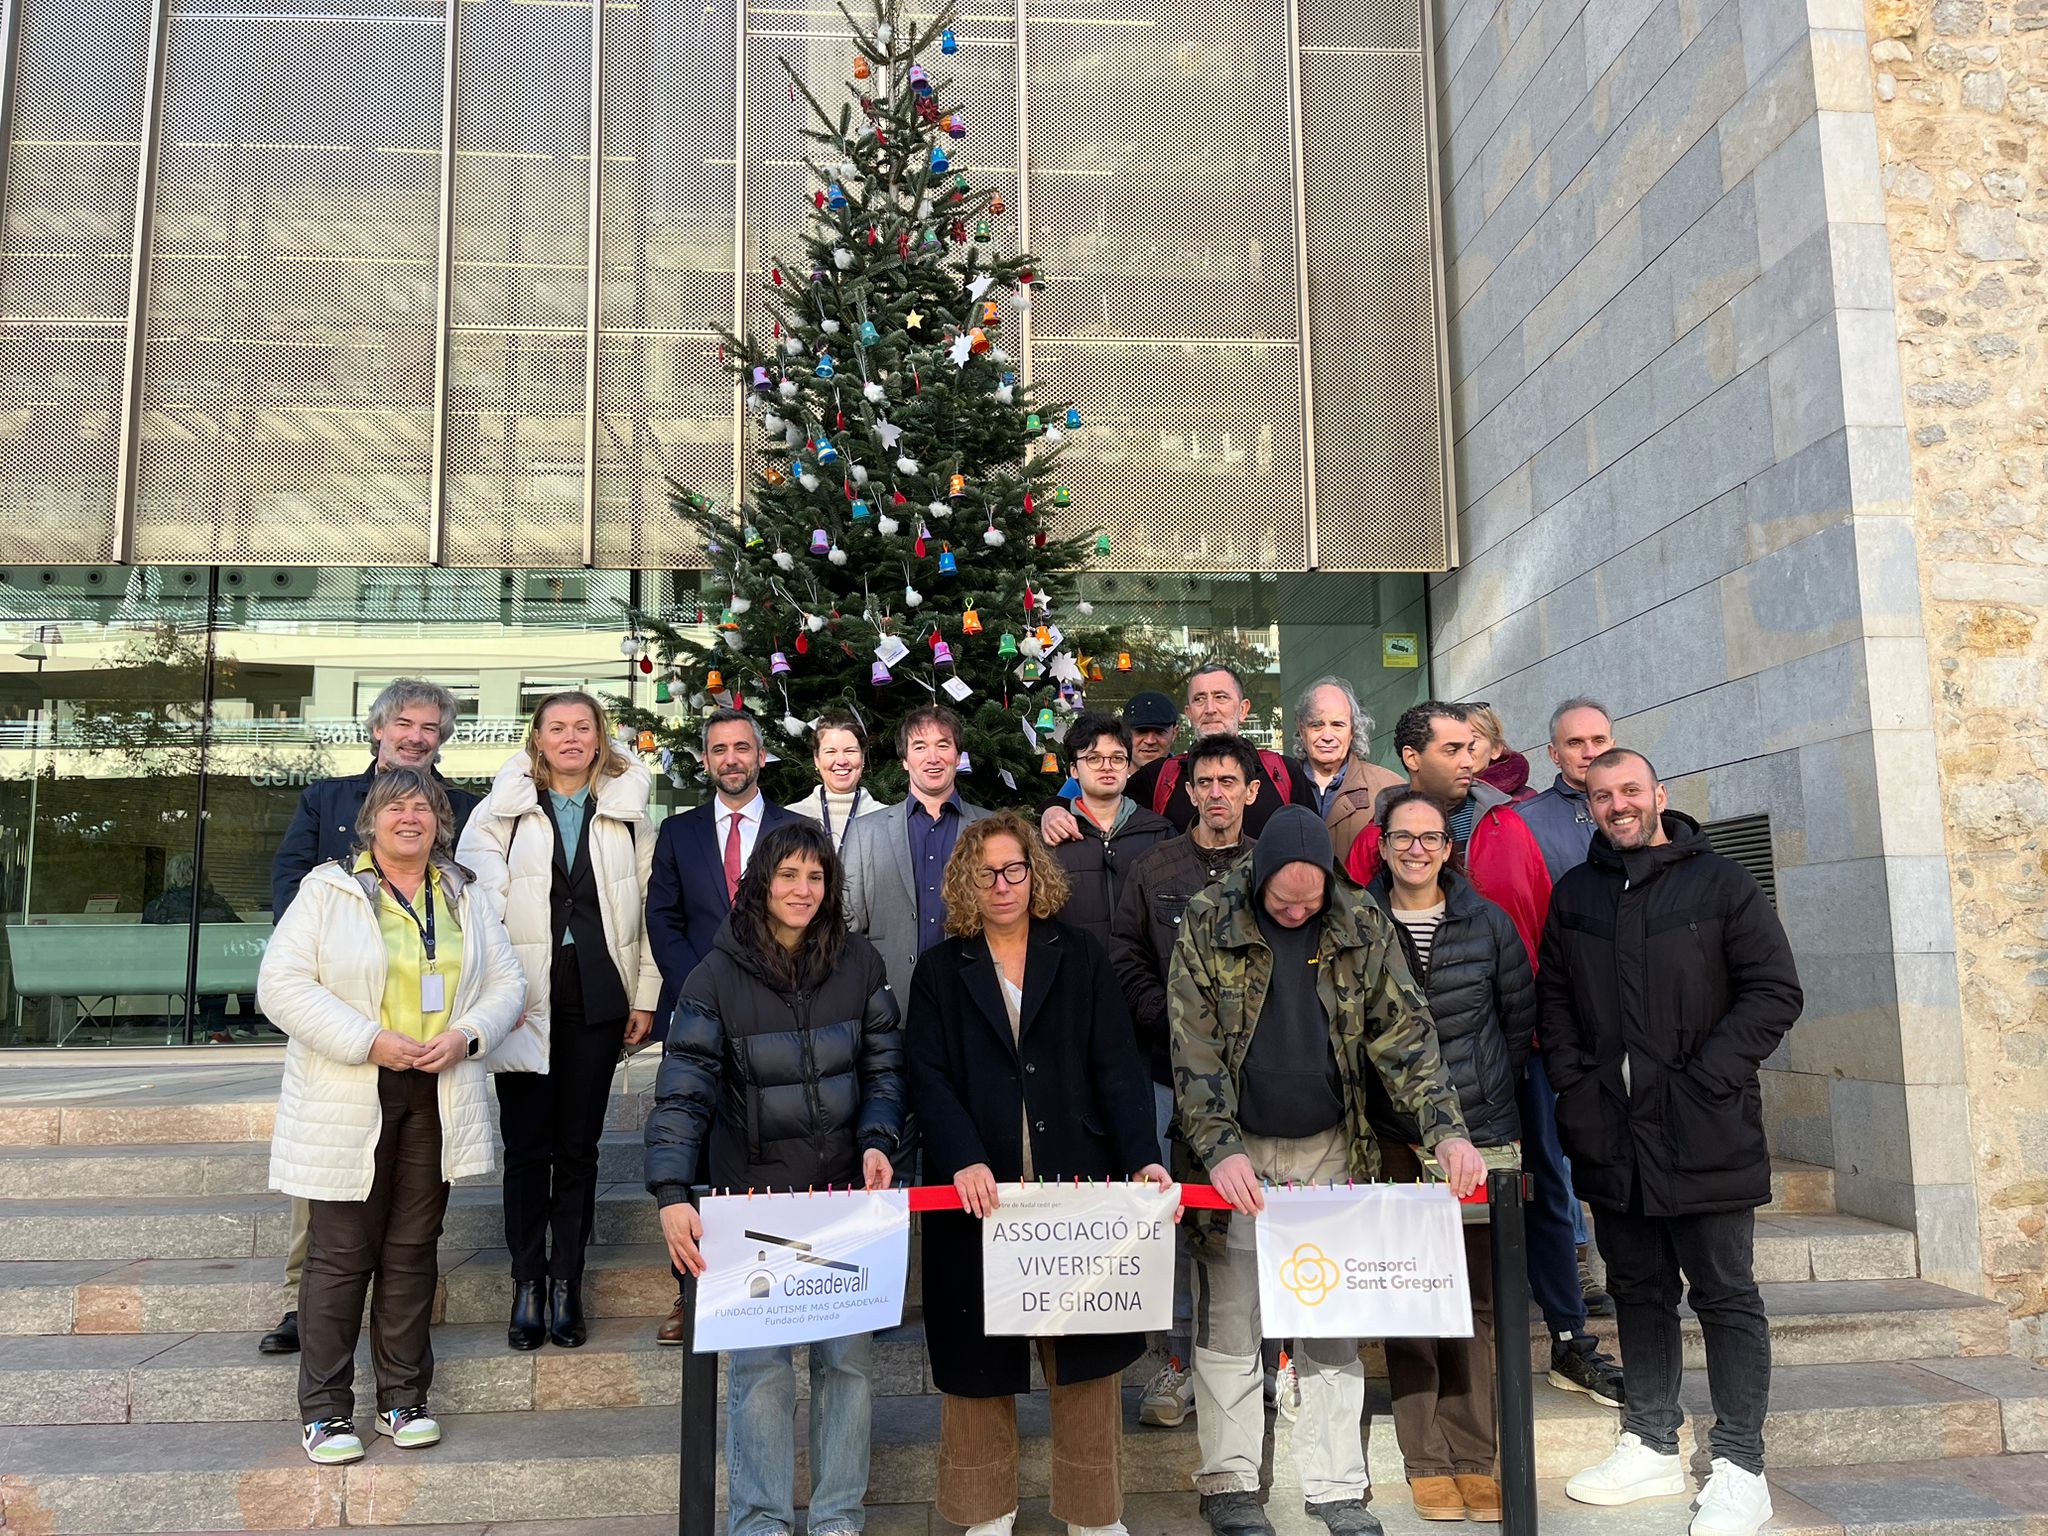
column 790, row 1269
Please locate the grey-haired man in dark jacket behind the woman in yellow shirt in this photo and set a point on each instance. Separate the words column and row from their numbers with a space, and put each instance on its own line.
column 409, row 724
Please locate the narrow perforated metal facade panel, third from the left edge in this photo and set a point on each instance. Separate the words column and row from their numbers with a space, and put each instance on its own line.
column 517, row 286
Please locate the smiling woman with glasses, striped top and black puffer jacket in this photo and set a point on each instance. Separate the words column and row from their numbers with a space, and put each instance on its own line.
column 1474, row 970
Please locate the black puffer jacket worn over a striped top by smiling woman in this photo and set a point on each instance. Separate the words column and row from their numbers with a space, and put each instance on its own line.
column 1484, row 1000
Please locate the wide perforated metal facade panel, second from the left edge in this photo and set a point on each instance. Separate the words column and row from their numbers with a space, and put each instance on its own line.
column 290, row 361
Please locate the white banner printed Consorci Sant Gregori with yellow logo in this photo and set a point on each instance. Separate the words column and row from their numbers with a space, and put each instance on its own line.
column 1371, row 1263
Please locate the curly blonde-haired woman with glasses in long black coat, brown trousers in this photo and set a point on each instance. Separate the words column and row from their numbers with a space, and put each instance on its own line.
column 1021, row 1066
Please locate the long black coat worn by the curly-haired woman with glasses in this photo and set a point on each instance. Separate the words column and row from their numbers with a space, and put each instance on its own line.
column 1074, row 1074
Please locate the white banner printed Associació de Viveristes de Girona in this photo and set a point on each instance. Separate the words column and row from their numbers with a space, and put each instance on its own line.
column 1078, row 1258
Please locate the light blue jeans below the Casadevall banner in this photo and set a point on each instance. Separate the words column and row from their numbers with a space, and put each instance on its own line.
column 761, row 1437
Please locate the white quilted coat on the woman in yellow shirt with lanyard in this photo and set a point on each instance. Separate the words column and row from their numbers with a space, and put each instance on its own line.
column 323, row 984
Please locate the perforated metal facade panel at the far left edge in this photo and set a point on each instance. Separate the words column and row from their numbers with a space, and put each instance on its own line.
column 67, row 241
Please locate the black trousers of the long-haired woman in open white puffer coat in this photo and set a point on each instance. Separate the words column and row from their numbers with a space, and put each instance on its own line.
column 552, row 1125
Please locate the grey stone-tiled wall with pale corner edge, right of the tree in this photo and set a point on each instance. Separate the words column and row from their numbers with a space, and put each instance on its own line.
column 1687, row 486
